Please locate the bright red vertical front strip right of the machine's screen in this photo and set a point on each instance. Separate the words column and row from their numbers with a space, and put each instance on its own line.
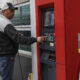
column 60, row 40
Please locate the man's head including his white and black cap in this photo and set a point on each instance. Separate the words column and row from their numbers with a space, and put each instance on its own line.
column 8, row 10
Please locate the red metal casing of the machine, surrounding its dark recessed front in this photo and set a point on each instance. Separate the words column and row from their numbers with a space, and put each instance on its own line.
column 67, row 27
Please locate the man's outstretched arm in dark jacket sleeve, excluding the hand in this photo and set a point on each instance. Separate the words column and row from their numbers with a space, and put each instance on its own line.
column 13, row 34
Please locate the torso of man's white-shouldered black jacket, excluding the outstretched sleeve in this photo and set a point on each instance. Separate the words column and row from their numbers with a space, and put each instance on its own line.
column 7, row 46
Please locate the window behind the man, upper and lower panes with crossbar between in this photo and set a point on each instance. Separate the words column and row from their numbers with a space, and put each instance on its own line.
column 22, row 20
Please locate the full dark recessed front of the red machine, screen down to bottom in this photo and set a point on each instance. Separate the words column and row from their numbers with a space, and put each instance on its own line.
column 47, row 48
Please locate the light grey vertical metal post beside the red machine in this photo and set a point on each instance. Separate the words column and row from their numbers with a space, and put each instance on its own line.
column 34, row 46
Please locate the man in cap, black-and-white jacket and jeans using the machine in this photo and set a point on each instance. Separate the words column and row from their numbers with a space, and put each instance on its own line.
column 9, row 41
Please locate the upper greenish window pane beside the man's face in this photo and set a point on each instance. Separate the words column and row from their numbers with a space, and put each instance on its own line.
column 22, row 15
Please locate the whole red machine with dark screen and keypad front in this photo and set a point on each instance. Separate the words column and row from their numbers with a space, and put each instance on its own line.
column 59, row 54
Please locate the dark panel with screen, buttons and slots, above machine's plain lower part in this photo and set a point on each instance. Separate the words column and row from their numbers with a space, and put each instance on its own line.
column 47, row 48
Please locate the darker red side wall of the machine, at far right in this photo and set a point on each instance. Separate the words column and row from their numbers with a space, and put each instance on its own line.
column 72, row 27
